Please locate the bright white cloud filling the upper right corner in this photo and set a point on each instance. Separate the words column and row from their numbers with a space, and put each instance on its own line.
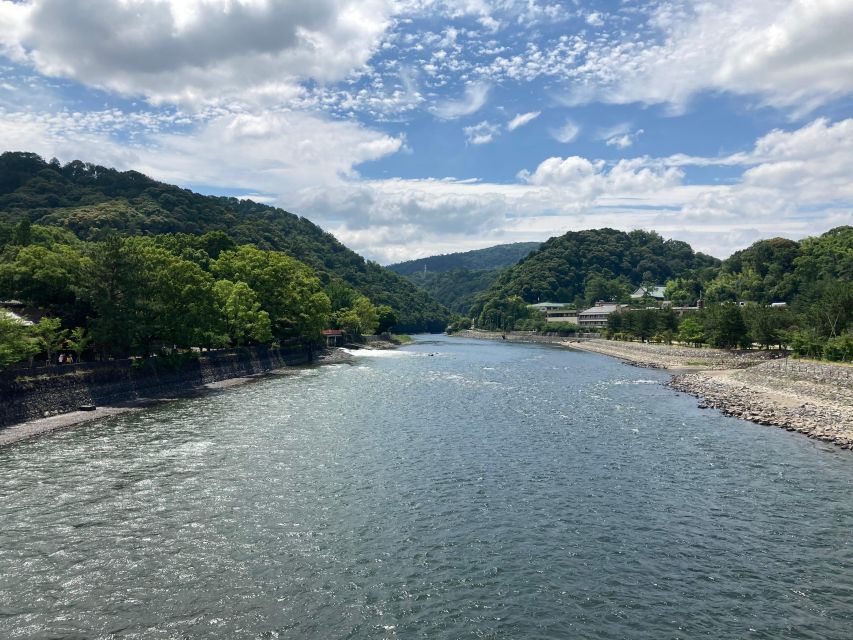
column 792, row 53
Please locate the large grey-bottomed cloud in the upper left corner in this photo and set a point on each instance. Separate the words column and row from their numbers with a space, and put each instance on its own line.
column 195, row 51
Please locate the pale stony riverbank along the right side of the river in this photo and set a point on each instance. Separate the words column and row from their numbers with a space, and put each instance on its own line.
column 803, row 396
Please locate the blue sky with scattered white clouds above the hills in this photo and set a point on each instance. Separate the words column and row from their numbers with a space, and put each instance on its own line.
column 410, row 128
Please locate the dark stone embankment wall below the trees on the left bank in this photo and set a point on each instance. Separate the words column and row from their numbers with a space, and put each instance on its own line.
column 28, row 394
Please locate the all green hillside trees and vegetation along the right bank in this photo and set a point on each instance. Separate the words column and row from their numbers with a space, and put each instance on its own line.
column 813, row 278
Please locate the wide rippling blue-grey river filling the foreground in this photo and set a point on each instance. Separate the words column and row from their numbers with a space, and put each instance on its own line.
column 450, row 489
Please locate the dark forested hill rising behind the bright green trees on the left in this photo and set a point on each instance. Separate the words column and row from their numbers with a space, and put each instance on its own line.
column 94, row 202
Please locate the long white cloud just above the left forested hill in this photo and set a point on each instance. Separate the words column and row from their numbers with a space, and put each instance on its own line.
column 229, row 150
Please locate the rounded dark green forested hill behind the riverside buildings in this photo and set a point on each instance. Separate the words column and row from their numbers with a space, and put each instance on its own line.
column 599, row 264
